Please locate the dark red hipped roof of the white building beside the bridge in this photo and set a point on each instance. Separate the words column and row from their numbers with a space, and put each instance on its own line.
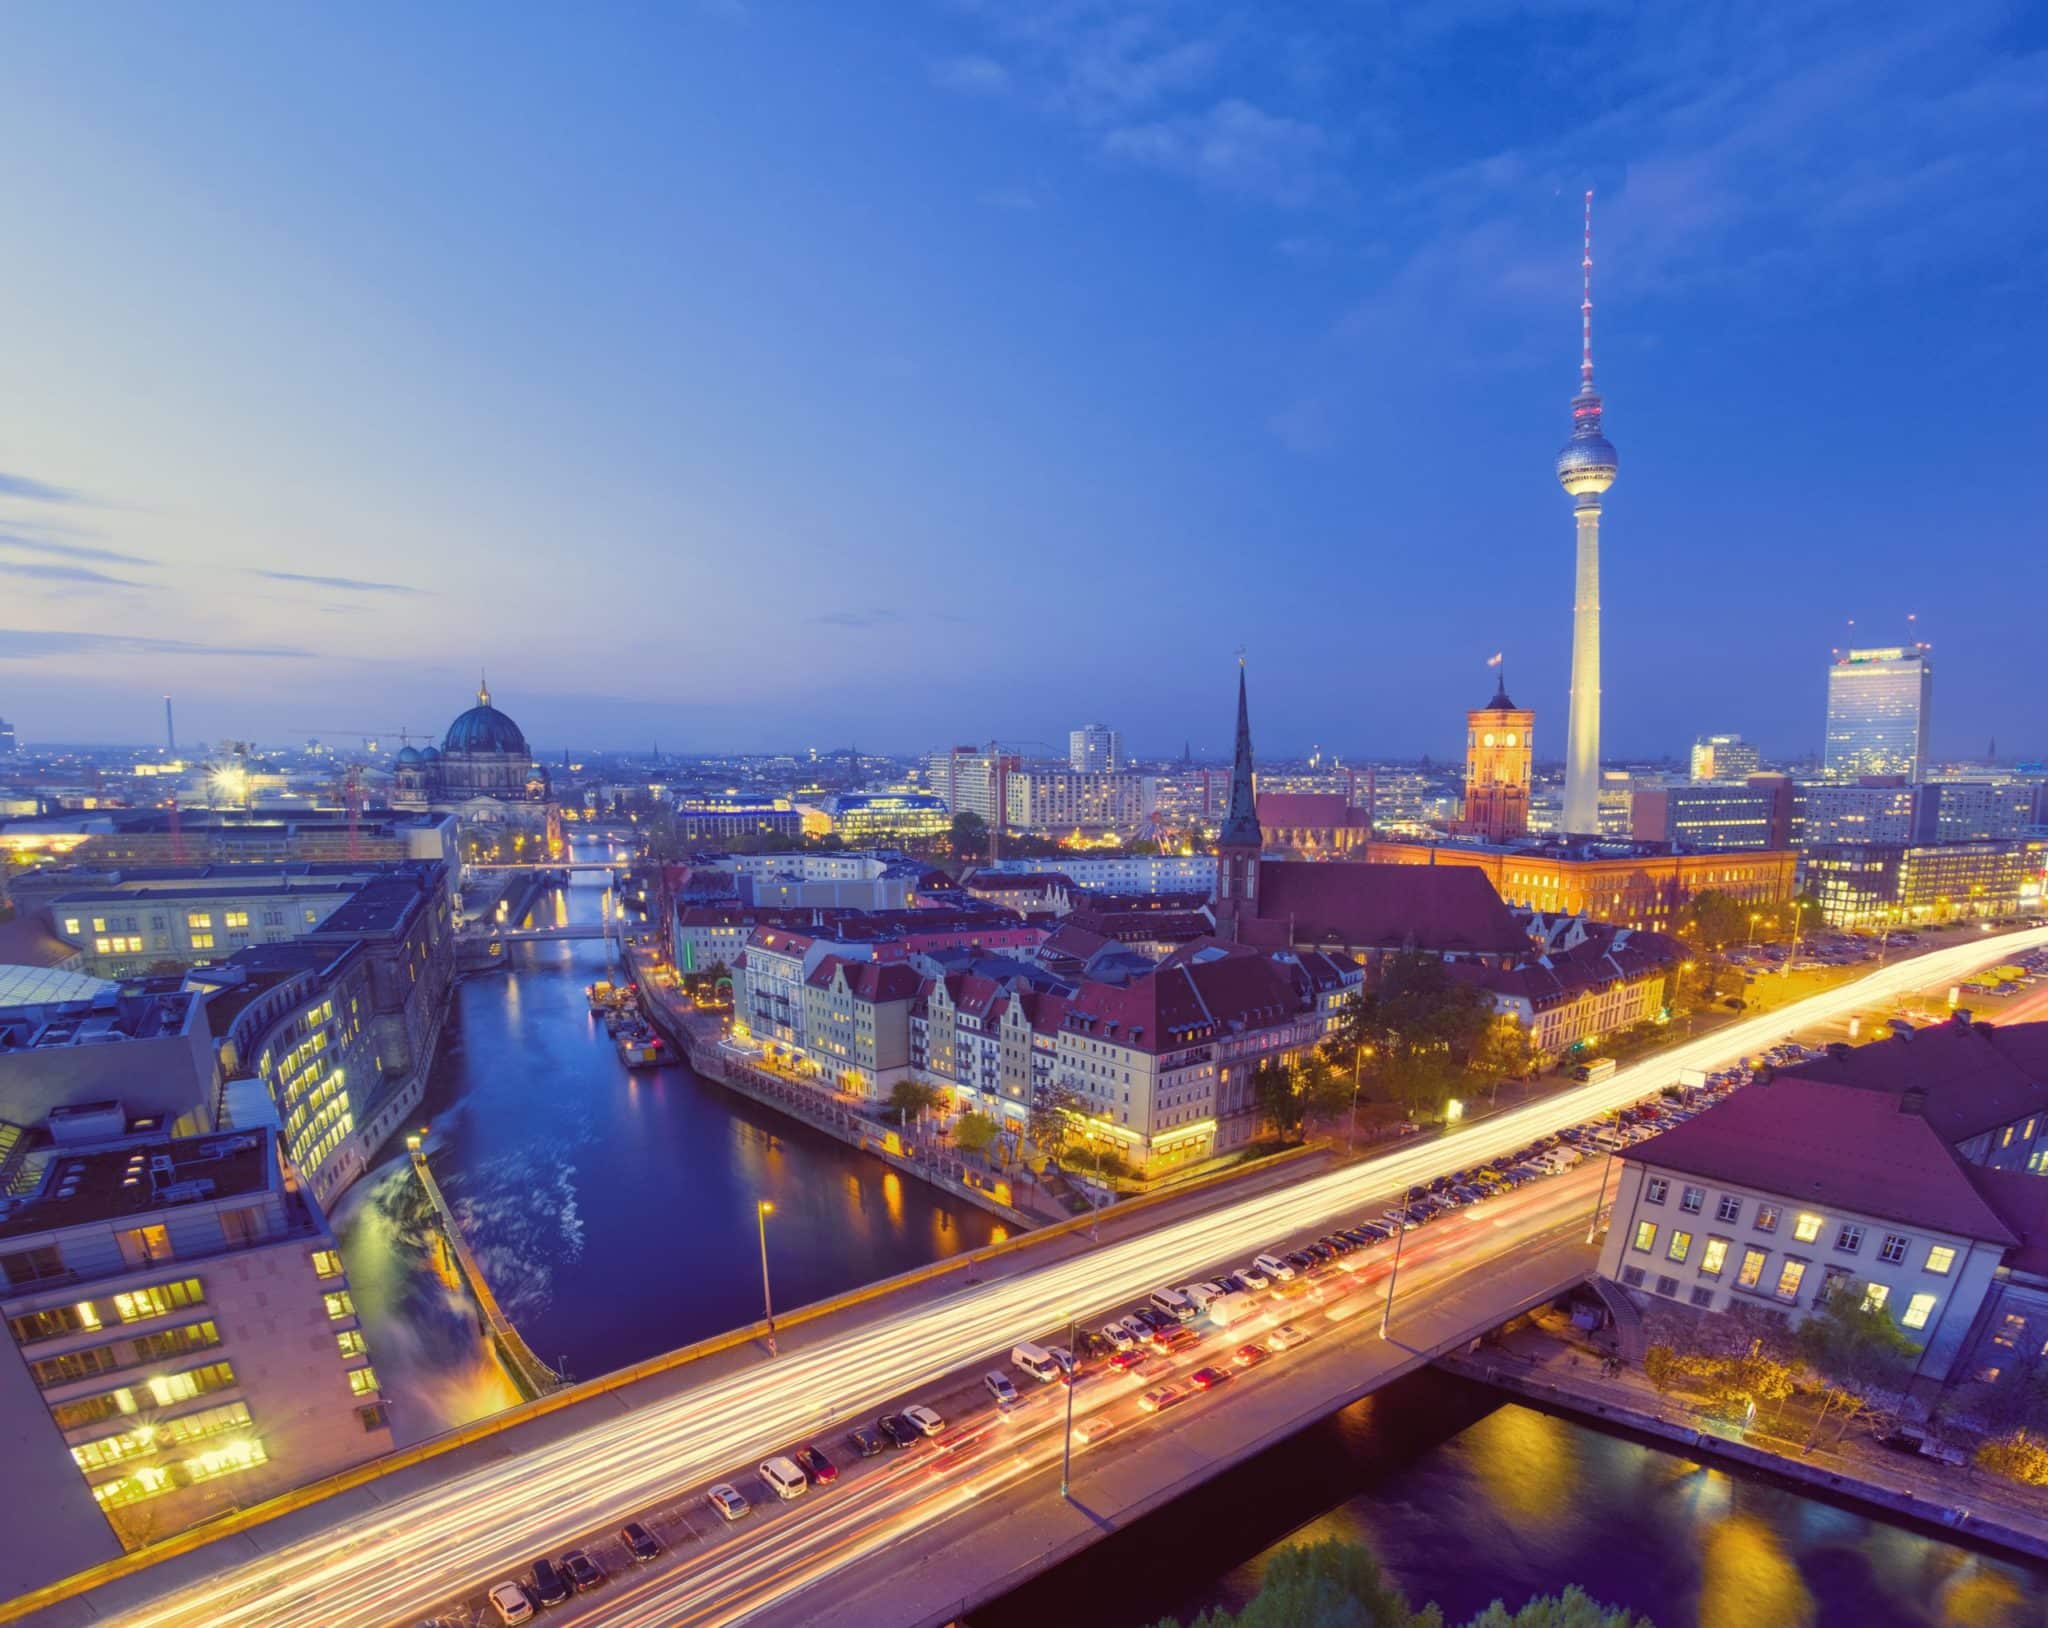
column 1832, row 1148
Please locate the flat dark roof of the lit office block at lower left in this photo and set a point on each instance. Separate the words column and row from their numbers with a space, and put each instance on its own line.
column 138, row 1179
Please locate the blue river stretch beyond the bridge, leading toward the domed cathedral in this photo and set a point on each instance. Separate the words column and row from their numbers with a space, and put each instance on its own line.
column 611, row 1209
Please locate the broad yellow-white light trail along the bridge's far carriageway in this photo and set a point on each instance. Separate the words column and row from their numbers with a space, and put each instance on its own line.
column 488, row 1523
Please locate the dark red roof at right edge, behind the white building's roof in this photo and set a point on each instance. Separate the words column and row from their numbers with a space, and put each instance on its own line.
column 1977, row 1076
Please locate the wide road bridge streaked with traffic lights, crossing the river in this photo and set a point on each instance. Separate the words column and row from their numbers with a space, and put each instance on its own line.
column 921, row 1537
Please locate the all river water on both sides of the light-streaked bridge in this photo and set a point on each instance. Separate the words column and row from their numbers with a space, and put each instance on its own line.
column 615, row 1217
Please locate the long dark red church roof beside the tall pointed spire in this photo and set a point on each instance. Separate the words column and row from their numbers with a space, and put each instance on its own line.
column 1443, row 908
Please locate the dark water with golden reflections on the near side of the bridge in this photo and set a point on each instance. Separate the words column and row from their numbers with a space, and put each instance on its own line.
column 1469, row 1500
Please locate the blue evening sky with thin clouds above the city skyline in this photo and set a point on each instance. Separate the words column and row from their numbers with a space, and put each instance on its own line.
column 796, row 374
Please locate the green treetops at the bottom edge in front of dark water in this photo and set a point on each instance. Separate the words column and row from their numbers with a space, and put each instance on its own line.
column 1338, row 1584
